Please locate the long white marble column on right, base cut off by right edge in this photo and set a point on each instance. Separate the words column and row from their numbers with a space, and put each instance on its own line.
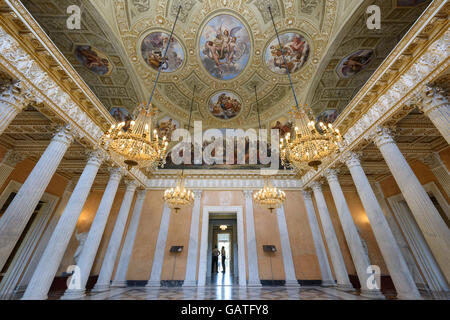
column 430, row 222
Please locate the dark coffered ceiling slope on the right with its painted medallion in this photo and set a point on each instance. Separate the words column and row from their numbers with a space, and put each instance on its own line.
column 359, row 53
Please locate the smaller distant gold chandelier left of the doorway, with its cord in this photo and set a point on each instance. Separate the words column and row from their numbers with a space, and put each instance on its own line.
column 180, row 196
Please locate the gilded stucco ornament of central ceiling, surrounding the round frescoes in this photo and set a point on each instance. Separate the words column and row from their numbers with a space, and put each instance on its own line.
column 160, row 19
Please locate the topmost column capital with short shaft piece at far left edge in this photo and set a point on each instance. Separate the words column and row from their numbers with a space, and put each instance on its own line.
column 12, row 102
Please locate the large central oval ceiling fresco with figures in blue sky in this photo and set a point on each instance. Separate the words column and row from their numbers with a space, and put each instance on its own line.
column 224, row 47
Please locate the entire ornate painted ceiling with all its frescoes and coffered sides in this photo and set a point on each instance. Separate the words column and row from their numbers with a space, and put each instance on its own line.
column 224, row 48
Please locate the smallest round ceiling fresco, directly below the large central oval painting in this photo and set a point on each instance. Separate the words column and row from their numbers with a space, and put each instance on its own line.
column 225, row 105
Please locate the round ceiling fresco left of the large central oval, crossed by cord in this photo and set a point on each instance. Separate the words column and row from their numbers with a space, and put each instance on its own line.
column 153, row 47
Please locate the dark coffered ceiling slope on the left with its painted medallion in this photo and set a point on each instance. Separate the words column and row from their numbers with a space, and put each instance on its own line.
column 92, row 50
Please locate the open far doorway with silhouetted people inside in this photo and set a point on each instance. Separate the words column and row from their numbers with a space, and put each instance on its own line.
column 222, row 269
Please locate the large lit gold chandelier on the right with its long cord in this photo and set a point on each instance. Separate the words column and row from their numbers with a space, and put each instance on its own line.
column 312, row 142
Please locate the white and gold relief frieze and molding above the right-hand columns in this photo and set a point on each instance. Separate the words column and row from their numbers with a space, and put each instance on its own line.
column 433, row 61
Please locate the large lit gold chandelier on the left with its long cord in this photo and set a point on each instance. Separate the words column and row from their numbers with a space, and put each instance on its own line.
column 134, row 141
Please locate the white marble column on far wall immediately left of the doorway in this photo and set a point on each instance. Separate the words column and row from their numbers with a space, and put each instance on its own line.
column 191, row 265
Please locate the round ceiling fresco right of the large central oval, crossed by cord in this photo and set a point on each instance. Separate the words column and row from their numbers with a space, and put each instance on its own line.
column 295, row 48
